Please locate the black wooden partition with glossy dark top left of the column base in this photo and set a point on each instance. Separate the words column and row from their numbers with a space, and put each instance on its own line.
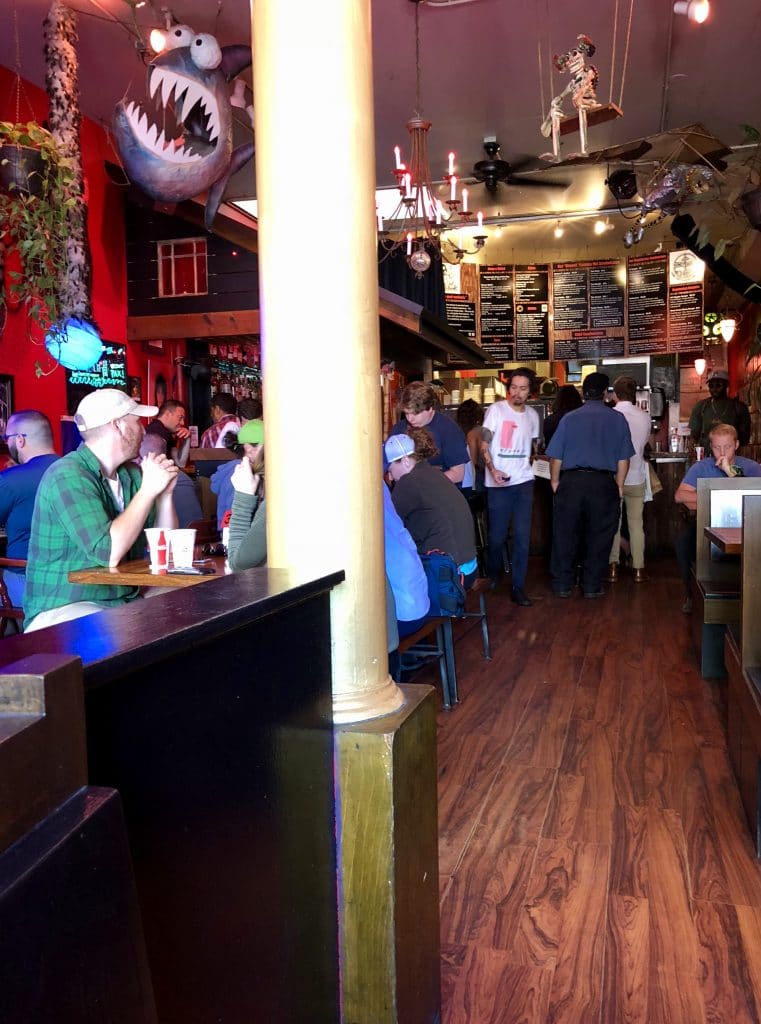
column 209, row 710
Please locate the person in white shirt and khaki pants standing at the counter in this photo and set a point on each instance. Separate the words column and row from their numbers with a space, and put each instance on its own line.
column 625, row 391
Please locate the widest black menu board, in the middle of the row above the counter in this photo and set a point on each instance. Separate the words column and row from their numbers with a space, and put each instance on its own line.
column 589, row 312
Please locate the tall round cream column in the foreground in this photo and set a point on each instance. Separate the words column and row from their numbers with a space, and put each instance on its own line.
column 319, row 306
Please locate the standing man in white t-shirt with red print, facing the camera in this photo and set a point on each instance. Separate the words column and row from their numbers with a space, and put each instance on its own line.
column 510, row 429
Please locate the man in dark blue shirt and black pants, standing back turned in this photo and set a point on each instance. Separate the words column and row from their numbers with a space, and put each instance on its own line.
column 589, row 459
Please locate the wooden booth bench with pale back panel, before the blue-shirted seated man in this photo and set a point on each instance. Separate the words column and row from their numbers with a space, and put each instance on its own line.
column 716, row 578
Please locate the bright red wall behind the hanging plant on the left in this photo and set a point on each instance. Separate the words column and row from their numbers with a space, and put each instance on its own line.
column 21, row 344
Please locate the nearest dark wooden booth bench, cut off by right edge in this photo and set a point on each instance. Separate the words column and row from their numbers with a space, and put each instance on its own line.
column 743, row 656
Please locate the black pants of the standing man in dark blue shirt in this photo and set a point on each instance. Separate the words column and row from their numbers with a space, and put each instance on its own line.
column 587, row 510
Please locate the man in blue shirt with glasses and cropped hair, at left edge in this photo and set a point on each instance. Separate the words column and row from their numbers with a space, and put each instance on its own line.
column 30, row 442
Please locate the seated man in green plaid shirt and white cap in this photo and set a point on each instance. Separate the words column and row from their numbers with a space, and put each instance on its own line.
column 92, row 509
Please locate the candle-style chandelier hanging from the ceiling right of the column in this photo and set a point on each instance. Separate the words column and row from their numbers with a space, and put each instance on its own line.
column 415, row 226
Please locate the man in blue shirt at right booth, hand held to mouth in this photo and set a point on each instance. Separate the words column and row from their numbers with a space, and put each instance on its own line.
column 726, row 462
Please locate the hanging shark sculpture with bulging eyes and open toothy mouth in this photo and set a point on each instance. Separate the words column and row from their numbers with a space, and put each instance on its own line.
column 190, row 151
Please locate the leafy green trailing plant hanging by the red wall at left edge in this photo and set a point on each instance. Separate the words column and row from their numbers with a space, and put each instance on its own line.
column 34, row 221
